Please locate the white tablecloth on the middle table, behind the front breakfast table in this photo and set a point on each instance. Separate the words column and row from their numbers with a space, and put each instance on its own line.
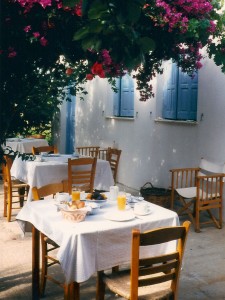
column 55, row 169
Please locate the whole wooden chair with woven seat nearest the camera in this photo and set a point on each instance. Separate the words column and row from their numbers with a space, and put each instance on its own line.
column 154, row 277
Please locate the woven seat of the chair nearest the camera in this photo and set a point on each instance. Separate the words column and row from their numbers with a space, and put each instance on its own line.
column 119, row 283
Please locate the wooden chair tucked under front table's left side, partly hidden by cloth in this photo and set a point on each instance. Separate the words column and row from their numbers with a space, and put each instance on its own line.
column 47, row 246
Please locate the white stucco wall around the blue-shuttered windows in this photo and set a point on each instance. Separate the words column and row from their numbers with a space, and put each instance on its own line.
column 150, row 148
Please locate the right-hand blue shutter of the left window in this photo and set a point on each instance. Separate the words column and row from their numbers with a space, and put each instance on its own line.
column 127, row 96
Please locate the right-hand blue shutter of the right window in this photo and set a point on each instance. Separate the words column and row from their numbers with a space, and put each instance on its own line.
column 187, row 96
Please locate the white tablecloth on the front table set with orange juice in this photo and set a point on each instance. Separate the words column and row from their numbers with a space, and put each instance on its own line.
column 96, row 243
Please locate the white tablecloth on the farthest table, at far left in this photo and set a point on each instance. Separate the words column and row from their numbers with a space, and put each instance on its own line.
column 25, row 145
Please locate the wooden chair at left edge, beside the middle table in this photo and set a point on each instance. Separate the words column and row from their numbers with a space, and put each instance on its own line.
column 15, row 191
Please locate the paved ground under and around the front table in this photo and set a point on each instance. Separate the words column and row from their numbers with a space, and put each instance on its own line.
column 202, row 278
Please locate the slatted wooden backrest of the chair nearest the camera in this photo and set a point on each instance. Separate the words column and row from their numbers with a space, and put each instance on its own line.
column 160, row 268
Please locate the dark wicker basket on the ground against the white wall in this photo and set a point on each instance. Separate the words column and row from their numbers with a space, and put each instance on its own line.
column 159, row 196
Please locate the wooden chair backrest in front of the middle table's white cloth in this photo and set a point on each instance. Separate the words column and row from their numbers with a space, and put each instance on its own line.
column 81, row 173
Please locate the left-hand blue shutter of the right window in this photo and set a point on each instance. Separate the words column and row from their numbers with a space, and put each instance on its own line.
column 170, row 92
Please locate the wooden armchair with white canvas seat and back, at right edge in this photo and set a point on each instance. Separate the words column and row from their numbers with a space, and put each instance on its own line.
column 199, row 189
